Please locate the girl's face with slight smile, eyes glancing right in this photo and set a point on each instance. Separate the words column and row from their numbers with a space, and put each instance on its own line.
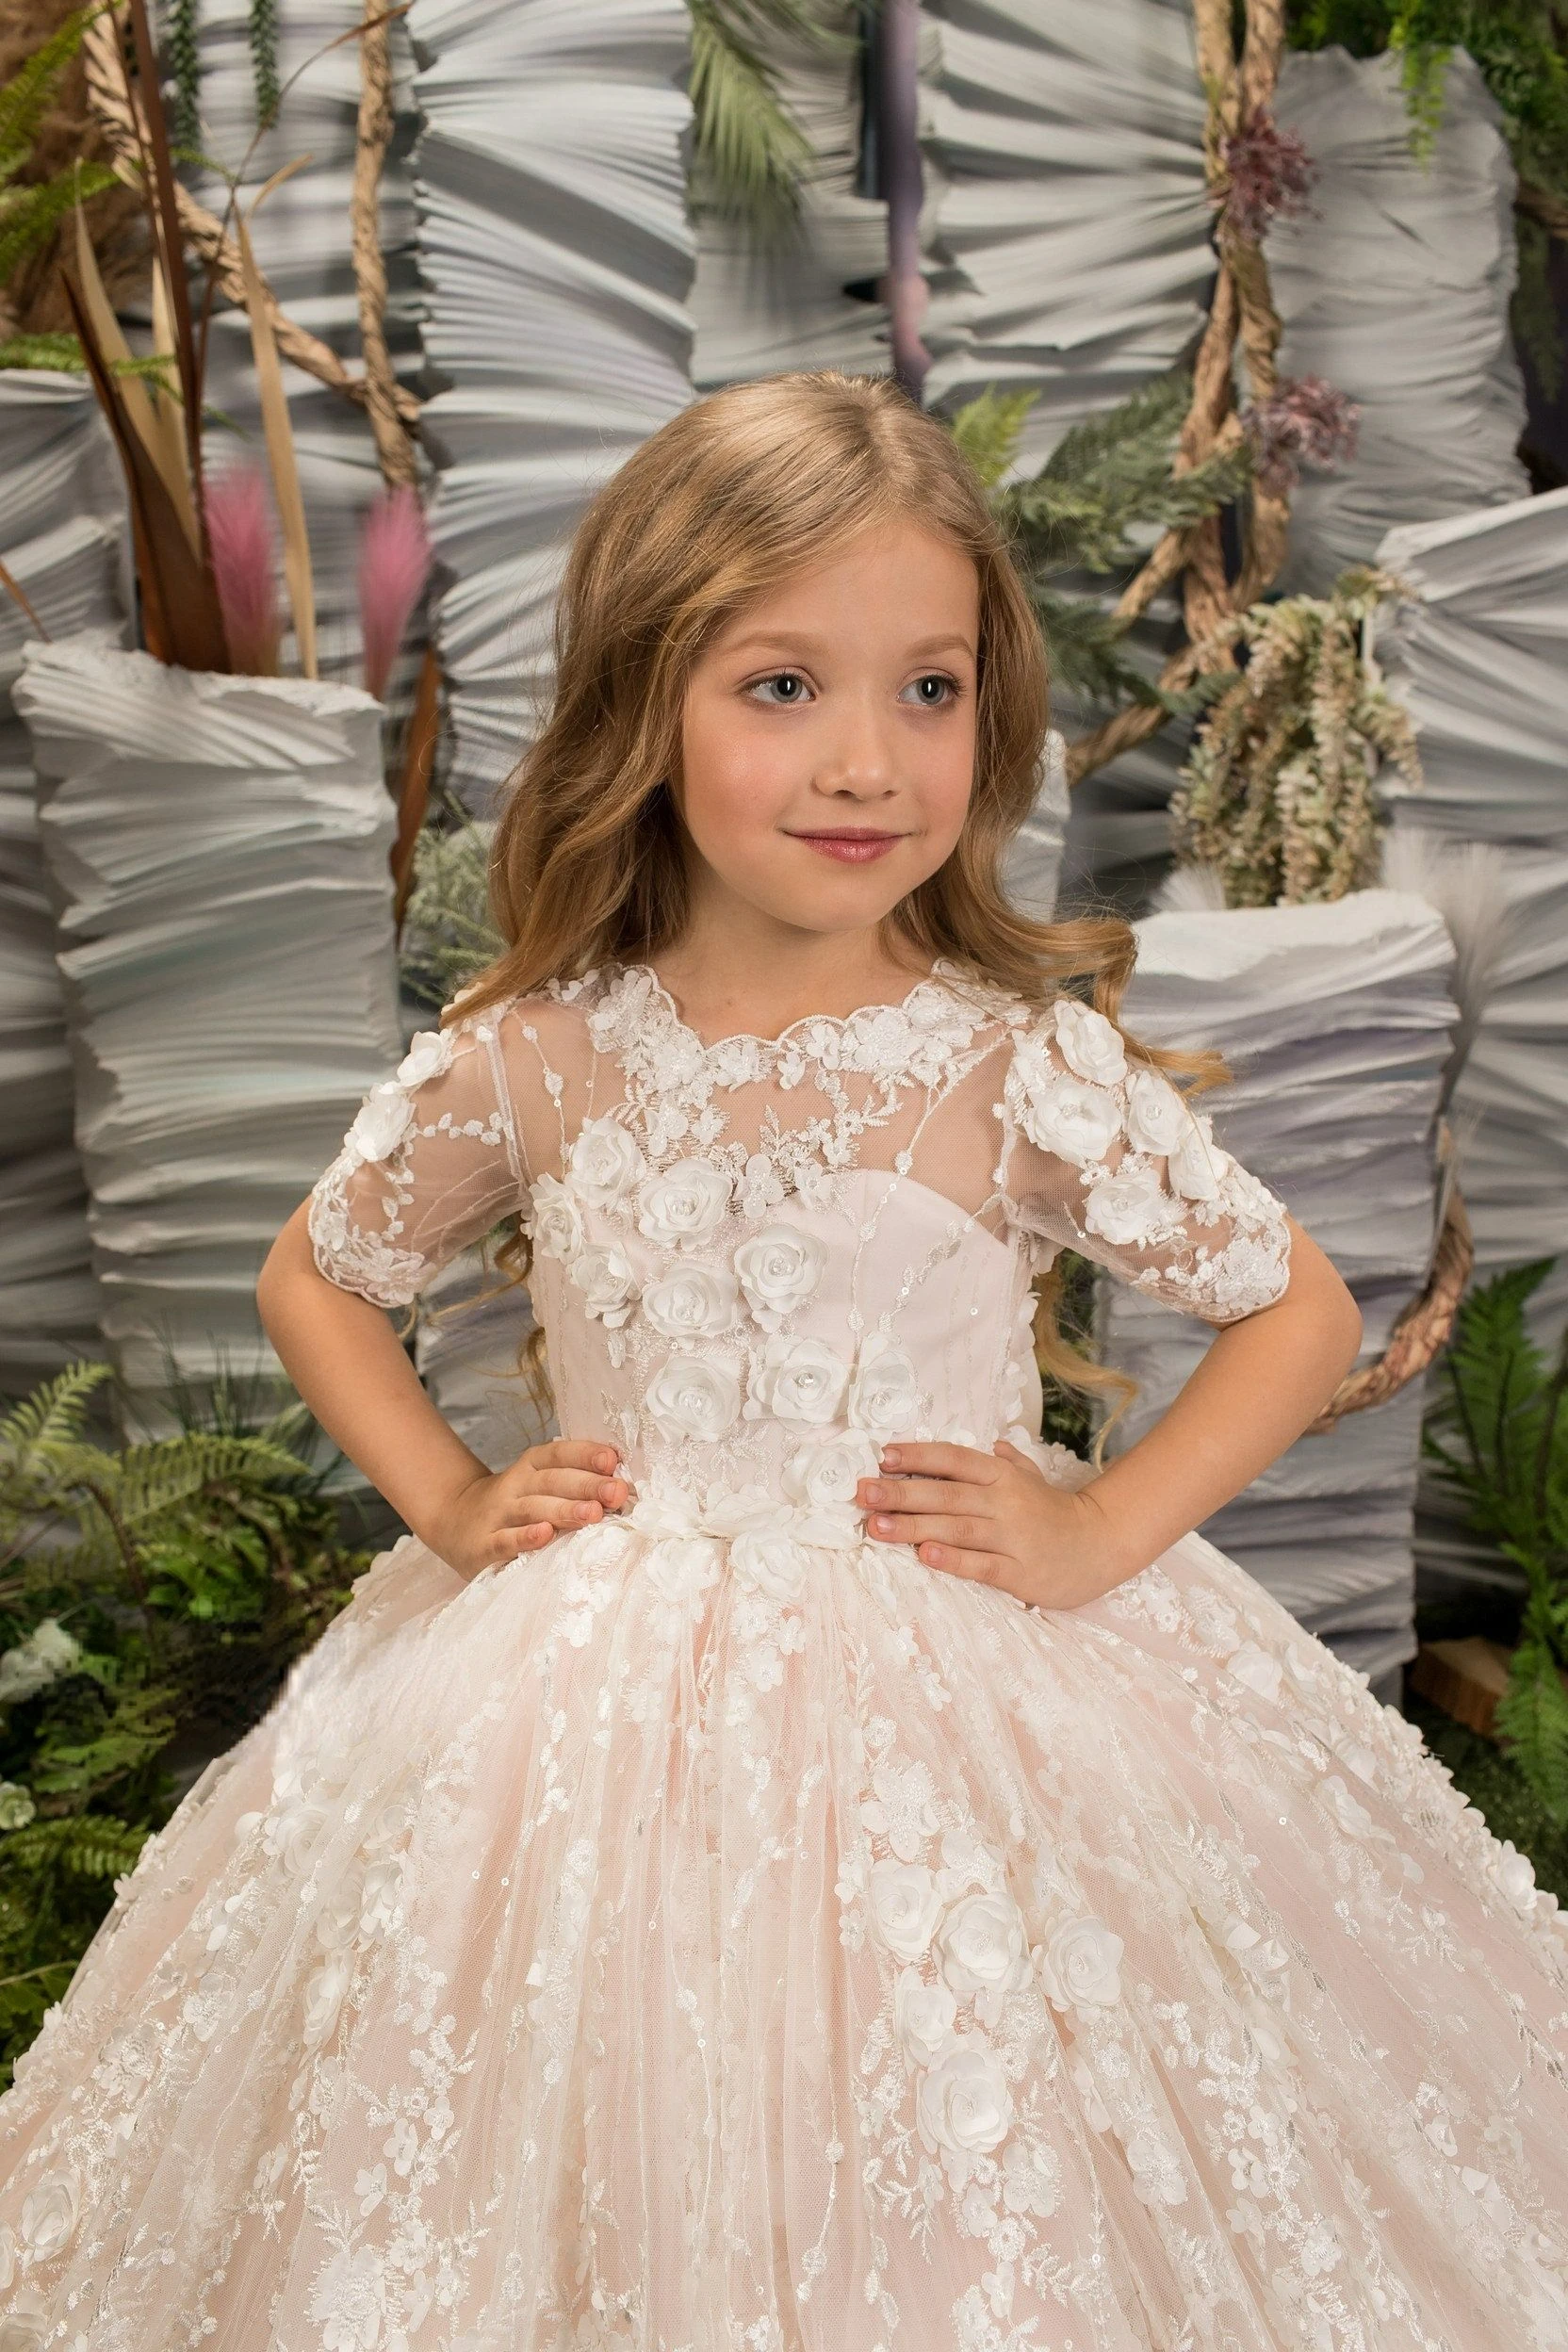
column 829, row 735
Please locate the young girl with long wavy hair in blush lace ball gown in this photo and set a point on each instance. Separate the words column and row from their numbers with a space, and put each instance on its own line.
column 798, row 1862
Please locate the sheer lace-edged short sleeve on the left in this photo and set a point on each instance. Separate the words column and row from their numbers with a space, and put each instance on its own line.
column 427, row 1168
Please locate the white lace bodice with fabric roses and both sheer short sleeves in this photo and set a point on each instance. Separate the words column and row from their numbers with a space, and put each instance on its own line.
column 763, row 1257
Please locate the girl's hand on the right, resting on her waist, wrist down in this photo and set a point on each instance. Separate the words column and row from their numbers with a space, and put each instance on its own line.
column 996, row 1521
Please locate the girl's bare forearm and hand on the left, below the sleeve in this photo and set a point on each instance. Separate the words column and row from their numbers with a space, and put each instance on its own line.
column 351, row 1370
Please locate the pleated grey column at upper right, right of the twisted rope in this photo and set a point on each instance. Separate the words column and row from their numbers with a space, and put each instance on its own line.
column 1398, row 288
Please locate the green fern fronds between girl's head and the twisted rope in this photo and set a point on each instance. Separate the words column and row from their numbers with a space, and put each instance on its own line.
column 1092, row 509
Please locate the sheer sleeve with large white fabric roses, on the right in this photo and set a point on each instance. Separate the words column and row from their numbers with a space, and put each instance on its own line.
column 1104, row 1156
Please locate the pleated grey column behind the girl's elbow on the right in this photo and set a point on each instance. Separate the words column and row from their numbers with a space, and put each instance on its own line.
column 1336, row 1022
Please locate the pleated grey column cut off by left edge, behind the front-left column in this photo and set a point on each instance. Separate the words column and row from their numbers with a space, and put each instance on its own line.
column 58, row 540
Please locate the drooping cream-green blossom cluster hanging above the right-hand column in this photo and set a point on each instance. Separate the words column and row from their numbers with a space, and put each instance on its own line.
column 1278, row 791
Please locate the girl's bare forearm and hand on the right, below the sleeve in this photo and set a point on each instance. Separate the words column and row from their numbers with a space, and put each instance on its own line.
column 998, row 1521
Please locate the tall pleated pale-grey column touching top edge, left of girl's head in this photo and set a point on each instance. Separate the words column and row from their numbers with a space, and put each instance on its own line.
column 558, row 260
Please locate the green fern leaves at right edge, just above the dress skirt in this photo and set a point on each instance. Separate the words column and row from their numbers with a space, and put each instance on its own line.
column 1499, row 1436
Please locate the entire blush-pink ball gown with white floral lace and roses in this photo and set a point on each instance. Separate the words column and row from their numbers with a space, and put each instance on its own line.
column 725, row 1932
